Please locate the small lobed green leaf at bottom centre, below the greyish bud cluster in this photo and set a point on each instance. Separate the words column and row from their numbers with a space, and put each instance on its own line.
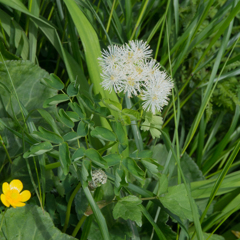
column 128, row 208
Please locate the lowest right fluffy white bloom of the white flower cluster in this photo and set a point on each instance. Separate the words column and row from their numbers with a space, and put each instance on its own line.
column 155, row 95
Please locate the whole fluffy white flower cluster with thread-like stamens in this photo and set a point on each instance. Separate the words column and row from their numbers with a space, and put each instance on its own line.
column 131, row 69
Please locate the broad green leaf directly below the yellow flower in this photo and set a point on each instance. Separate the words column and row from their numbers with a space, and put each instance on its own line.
column 36, row 224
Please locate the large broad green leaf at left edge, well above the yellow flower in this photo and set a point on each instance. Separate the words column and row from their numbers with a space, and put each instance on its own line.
column 26, row 79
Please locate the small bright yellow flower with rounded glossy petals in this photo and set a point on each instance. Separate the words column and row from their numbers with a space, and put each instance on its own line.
column 12, row 196
